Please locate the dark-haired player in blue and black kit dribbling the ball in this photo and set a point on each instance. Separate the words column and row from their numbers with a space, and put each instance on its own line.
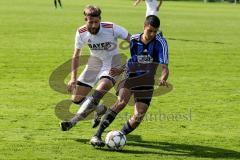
column 148, row 50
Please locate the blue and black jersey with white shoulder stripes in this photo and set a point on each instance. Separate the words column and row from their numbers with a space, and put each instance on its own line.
column 146, row 57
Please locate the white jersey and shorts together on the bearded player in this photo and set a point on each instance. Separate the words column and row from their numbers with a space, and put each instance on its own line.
column 103, row 49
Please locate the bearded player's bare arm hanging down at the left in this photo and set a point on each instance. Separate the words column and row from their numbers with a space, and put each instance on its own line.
column 75, row 64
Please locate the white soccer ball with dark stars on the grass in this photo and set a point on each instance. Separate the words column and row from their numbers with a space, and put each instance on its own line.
column 115, row 140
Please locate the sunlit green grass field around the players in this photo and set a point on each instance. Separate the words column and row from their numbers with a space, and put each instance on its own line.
column 204, row 46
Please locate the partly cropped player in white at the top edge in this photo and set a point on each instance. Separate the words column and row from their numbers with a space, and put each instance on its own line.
column 152, row 6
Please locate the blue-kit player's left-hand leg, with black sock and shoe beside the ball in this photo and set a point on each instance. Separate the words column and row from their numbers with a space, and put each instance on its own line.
column 123, row 98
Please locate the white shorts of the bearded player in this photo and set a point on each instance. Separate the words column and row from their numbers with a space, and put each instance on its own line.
column 97, row 69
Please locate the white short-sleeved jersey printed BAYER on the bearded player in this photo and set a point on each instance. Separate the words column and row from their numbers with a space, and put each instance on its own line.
column 104, row 43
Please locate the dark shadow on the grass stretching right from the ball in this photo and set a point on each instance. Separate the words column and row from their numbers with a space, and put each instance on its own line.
column 171, row 149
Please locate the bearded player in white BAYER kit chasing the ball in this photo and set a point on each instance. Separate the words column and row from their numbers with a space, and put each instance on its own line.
column 101, row 39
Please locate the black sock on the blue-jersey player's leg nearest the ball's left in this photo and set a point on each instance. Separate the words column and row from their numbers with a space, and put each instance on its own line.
column 107, row 120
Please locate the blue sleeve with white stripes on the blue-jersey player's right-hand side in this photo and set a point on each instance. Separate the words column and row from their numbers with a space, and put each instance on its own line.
column 163, row 51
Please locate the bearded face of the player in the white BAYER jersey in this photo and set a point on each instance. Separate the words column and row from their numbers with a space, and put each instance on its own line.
column 93, row 24
